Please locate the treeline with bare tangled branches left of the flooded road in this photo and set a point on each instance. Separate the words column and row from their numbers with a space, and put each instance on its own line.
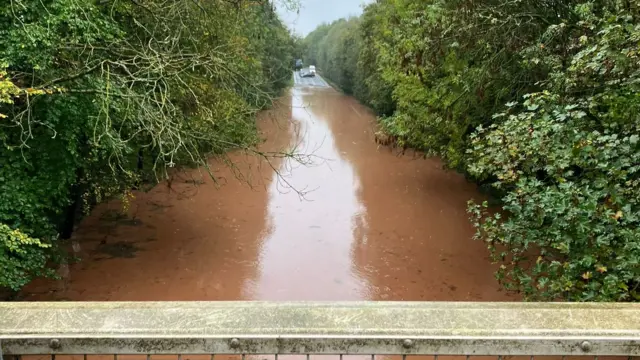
column 99, row 97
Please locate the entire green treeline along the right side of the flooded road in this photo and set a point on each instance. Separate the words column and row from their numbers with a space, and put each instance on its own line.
column 538, row 98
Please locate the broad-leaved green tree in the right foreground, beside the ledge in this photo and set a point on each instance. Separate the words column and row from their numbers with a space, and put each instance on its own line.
column 569, row 160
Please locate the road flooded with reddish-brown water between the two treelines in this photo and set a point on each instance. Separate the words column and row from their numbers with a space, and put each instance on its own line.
column 337, row 218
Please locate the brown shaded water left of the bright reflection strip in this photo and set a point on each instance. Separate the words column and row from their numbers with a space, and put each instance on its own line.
column 188, row 243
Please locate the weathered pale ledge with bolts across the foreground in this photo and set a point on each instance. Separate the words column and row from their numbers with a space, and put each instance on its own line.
column 320, row 328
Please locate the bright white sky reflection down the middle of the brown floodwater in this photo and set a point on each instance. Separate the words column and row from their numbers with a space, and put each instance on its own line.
column 314, row 214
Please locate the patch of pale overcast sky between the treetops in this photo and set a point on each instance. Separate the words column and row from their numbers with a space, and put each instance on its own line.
column 315, row 12
